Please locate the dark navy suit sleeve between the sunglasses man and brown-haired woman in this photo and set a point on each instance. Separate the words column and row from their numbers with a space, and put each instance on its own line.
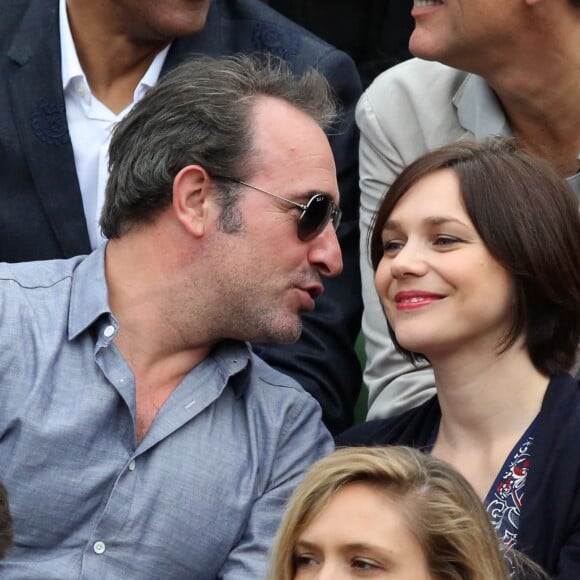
column 324, row 360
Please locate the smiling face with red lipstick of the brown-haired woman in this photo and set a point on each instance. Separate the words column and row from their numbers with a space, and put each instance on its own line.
column 435, row 268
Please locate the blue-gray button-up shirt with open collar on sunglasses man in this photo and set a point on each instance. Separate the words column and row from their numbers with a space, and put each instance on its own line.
column 200, row 497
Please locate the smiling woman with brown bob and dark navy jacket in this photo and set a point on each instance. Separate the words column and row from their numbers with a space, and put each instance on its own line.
column 477, row 266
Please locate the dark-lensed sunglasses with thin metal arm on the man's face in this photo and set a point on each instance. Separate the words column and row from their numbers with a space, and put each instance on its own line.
column 316, row 212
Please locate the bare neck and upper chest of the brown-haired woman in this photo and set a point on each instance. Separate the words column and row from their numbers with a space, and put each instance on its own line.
column 487, row 404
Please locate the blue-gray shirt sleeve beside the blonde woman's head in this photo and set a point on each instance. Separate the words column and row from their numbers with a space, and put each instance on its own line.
column 302, row 441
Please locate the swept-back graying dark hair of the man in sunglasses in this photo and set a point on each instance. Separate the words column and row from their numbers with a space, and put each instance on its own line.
column 199, row 114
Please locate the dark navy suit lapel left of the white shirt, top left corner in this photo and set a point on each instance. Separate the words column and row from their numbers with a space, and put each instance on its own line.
column 37, row 102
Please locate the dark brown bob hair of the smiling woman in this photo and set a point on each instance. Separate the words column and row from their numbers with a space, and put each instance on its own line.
column 528, row 218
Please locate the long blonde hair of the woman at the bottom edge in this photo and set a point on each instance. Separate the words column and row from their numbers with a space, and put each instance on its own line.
column 443, row 512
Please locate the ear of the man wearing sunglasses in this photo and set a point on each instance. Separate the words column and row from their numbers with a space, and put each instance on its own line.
column 192, row 199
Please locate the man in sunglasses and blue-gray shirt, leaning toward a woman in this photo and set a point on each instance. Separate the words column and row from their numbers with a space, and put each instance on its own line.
column 140, row 435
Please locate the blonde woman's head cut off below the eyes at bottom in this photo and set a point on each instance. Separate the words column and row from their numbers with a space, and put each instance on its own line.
column 386, row 513
